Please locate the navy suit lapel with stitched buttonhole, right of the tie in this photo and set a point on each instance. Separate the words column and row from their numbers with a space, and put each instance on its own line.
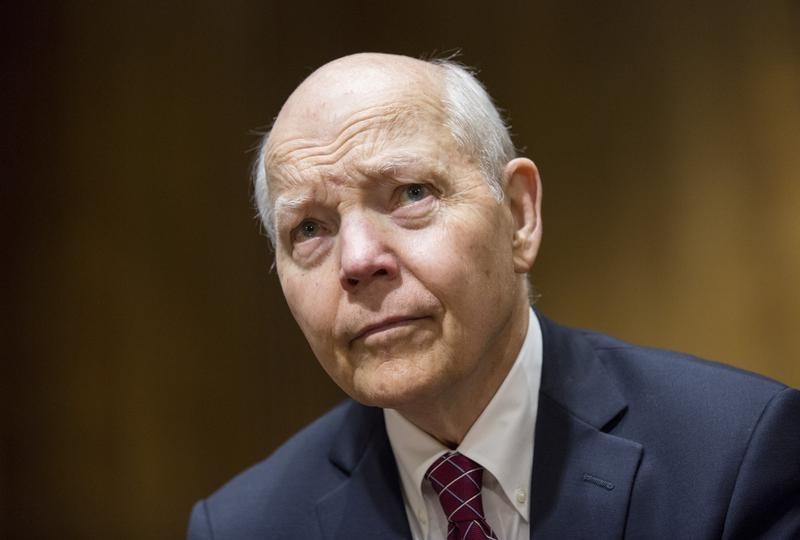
column 582, row 474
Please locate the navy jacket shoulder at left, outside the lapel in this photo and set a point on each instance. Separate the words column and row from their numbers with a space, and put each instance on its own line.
column 276, row 496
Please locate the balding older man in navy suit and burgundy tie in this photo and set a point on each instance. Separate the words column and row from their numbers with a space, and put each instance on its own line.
column 404, row 226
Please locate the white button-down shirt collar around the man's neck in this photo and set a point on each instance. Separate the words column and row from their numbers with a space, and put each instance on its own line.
column 501, row 439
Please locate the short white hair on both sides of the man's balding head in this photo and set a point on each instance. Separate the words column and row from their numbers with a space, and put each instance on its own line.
column 472, row 118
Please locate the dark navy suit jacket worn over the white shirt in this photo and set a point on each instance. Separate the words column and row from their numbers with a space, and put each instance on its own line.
column 630, row 442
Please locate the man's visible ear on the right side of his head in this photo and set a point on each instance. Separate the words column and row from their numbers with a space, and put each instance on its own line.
column 523, row 191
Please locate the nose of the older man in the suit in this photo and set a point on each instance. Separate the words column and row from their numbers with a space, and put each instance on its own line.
column 365, row 256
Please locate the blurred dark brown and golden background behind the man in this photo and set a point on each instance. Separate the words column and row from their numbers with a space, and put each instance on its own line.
column 148, row 352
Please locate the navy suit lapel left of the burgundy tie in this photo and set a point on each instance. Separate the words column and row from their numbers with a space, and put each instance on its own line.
column 368, row 503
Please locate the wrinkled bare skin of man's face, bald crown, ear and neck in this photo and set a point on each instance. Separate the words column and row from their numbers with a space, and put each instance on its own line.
column 404, row 272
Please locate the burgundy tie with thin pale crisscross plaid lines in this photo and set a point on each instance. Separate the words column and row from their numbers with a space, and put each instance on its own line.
column 457, row 480
